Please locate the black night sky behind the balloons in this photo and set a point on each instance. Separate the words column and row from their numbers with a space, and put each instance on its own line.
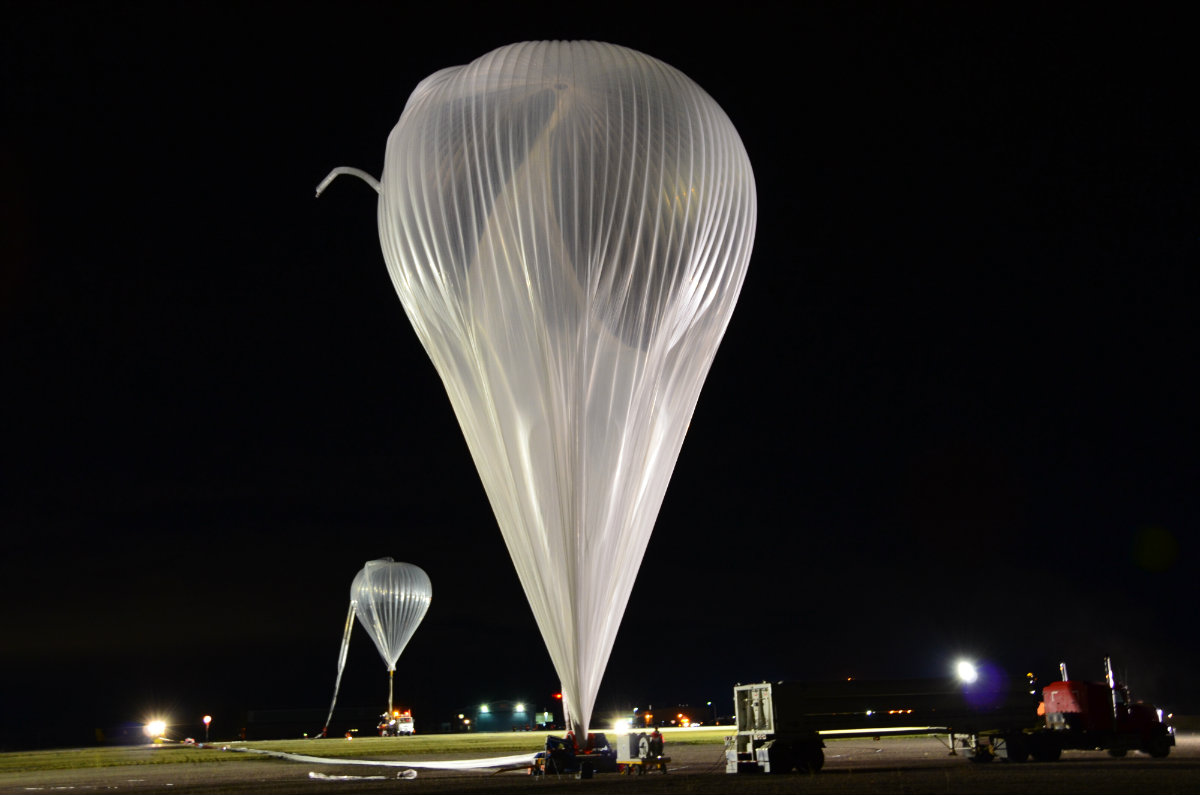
column 956, row 411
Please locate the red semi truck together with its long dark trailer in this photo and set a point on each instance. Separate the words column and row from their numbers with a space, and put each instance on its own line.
column 784, row 726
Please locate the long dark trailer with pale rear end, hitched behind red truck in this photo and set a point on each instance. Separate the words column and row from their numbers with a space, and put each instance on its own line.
column 783, row 726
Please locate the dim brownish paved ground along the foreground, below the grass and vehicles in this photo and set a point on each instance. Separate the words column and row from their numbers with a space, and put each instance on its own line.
column 896, row 766
